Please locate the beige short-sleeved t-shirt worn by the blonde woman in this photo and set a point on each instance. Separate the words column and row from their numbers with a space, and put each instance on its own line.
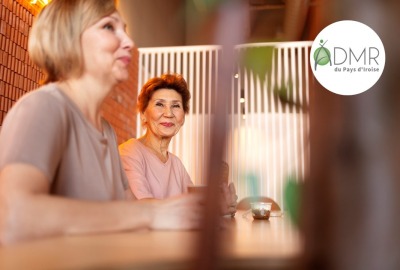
column 46, row 129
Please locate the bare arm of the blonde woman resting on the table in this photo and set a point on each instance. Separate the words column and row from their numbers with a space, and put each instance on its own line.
column 27, row 211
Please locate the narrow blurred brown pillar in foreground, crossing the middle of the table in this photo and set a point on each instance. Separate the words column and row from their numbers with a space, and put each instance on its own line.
column 230, row 30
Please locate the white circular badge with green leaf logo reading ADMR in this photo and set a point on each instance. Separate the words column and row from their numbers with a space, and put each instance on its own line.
column 347, row 57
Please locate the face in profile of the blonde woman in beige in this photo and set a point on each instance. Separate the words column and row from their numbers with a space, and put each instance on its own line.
column 107, row 49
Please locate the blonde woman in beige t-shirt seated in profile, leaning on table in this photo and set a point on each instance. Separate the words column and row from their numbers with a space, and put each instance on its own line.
column 60, row 171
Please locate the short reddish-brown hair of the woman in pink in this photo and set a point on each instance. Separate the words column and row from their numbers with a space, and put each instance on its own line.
column 165, row 81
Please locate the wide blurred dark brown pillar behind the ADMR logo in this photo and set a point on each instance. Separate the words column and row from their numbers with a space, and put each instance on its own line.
column 351, row 201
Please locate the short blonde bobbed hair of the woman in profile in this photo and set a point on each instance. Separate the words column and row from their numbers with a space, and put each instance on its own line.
column 55, row 38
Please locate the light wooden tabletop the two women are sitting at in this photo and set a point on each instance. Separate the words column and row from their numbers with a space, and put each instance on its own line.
column 246, row 243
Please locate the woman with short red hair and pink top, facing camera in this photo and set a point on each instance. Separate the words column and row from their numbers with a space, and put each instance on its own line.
column 154, row 172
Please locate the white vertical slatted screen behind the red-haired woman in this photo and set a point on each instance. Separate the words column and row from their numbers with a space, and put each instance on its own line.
column 267, row 138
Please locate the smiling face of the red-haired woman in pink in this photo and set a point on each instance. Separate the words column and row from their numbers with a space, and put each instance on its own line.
column 164, row 114
